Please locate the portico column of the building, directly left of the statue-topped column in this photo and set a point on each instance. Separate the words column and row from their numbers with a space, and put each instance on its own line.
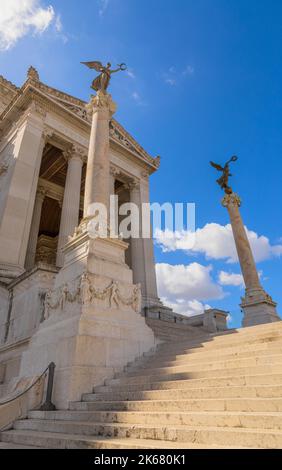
column 71, row 201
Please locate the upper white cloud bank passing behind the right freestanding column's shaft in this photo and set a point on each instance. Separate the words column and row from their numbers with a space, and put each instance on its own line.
column 216, row 241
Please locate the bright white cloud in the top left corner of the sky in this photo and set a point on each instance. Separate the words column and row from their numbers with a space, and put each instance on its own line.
column 20, row 17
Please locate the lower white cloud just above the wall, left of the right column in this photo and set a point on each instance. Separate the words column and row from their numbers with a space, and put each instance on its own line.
column 183, row 288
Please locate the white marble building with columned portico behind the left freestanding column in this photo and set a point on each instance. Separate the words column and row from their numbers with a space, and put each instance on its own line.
column 44, row 140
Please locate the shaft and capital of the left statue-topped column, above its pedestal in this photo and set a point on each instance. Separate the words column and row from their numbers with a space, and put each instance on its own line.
column 98, row 163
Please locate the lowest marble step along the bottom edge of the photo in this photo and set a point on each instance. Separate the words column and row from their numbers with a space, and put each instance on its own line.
column 71, row 441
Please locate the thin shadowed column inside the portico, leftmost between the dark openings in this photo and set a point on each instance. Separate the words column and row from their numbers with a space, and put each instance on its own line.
column 35, row 224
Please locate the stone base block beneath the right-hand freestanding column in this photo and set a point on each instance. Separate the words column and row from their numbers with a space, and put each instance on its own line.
column 258, row 308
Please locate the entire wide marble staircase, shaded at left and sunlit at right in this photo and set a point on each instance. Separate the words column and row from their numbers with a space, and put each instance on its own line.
column 225, row 392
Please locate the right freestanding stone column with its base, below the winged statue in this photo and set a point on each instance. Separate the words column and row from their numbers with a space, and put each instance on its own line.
column 257, row 305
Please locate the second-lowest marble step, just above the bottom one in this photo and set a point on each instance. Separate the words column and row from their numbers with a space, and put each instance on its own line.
column 258, row 420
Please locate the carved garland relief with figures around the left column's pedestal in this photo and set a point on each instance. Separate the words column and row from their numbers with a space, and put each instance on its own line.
column 85, row 293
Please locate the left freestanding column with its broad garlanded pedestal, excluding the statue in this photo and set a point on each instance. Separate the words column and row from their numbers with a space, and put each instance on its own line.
column 93, row 326
